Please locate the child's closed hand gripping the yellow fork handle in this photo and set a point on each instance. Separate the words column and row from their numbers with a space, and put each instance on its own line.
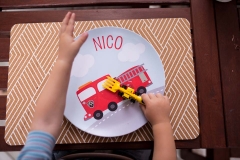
column 157, row 108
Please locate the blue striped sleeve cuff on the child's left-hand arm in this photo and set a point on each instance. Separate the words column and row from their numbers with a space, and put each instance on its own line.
column 39, row 146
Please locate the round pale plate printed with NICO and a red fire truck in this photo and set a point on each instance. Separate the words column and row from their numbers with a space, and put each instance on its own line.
column 111, row 51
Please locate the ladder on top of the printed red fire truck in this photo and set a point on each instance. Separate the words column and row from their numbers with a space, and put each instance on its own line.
column 131, row 74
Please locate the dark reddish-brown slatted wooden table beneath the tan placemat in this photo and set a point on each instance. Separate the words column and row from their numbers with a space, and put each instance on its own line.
column 210, row 79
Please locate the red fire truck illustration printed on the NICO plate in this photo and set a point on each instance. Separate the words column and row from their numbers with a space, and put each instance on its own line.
column 95, row 99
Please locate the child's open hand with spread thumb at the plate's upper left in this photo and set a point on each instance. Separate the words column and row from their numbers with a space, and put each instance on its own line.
column 68, row 47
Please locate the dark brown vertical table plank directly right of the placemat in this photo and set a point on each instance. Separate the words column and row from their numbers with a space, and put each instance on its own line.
column 207, row 75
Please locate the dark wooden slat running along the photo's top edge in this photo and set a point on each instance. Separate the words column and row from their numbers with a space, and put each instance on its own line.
column 74, row 3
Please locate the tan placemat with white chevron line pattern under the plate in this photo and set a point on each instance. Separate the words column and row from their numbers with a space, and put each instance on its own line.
column 33, row 49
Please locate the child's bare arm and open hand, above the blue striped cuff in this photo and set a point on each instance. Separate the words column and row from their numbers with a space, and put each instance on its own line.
column 50, row 106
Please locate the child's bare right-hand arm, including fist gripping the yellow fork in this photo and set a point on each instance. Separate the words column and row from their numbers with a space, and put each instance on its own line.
column 157, row 109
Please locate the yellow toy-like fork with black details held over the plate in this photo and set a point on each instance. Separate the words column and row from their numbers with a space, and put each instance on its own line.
column 126, row 92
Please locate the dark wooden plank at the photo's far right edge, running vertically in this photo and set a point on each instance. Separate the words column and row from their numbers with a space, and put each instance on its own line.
column 230, row 67
